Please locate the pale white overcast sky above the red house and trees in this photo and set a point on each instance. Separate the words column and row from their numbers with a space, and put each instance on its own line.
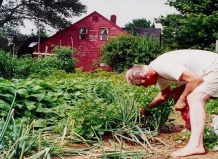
column 125, row 11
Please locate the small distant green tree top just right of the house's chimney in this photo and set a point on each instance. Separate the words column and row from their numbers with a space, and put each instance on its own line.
column 138, row 23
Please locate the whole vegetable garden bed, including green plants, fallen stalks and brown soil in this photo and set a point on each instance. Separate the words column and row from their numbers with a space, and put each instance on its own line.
column 89, row 116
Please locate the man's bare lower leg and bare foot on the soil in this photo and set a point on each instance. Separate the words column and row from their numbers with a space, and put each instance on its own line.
column 195, row 145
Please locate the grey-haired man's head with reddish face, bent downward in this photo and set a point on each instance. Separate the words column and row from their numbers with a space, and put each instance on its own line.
column 141, row 76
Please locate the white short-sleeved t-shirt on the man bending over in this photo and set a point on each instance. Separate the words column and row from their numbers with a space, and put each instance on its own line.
column 171, row 65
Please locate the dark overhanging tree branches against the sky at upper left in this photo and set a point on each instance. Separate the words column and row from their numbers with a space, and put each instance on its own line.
column 55, row 13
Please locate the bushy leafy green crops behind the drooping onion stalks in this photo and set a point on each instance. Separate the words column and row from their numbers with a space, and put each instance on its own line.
column 94, row 101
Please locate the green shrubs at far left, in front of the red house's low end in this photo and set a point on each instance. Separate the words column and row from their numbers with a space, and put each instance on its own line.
column 12, row 67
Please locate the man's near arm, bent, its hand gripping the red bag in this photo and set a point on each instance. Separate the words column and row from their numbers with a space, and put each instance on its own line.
column 193, row 80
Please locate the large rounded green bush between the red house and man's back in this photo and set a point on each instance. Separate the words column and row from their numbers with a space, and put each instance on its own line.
column 128, row 50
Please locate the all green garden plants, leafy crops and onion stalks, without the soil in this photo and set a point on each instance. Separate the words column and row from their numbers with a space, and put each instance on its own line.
column 85, row 105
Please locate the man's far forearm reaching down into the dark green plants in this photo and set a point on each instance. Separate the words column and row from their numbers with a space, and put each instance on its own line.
column 161, row 97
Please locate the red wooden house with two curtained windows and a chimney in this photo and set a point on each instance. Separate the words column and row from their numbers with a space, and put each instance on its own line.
column 86, row 36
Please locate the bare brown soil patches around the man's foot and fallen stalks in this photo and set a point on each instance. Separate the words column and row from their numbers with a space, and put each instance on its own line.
column 175, row 137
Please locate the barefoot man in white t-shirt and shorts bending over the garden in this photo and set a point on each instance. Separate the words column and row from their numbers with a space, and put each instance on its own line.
column 196, row 74
